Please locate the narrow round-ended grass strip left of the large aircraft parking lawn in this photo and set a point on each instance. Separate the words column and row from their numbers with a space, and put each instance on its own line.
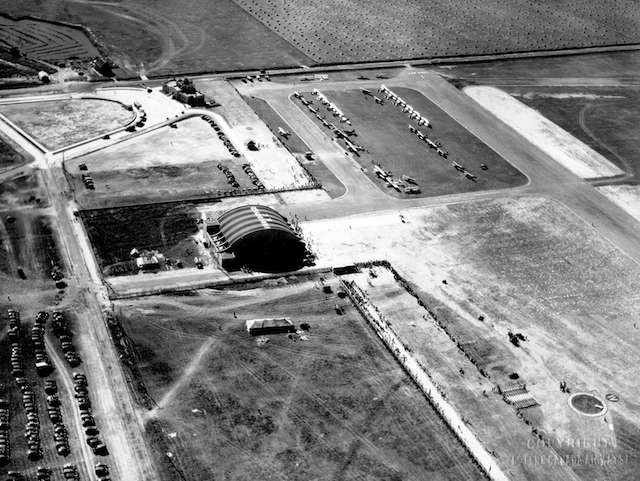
column 296, row 146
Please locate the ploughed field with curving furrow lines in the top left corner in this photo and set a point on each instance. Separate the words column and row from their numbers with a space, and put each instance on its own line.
column 46, row 41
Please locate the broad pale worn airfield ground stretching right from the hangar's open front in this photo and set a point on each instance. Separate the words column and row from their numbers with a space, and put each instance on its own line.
column 526, row 266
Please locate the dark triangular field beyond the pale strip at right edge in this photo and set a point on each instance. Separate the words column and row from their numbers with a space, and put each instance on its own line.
column 605, row 119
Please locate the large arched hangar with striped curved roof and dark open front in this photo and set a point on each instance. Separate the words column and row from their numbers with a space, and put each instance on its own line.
column 257, row 237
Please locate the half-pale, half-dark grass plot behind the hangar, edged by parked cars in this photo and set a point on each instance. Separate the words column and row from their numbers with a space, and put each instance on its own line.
column 167, row 164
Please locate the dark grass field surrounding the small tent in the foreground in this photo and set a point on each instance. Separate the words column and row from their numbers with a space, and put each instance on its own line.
column 329, row 403
